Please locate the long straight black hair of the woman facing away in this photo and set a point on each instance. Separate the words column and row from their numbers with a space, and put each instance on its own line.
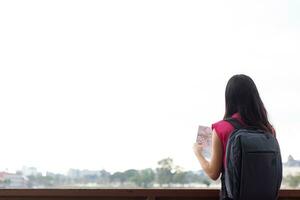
column 241, row 96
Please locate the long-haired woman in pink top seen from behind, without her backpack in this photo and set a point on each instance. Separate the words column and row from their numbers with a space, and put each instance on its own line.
column 242, row 102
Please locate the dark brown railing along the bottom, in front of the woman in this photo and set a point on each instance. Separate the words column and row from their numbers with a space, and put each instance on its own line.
column 123, row 194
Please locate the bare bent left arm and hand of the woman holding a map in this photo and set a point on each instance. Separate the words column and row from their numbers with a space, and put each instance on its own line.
column 212, row 168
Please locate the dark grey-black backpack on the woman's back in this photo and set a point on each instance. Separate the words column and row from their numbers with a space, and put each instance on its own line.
column 253, row 165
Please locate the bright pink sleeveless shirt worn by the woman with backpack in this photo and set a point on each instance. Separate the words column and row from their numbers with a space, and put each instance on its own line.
column 223, row 130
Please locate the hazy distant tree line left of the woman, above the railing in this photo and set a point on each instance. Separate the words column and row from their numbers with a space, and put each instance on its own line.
column 165, row 175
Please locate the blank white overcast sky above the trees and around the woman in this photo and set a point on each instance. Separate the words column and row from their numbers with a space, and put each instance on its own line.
column 123, row 84
